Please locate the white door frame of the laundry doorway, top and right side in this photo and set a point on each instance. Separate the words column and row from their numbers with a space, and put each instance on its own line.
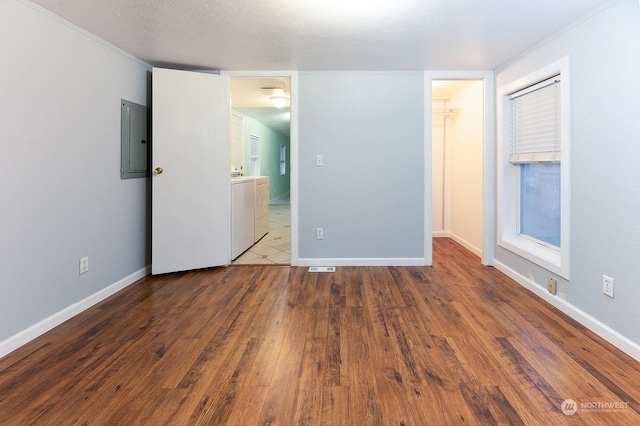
column 293, row 153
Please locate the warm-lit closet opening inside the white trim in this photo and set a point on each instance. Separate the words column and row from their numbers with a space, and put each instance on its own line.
column 457, row 138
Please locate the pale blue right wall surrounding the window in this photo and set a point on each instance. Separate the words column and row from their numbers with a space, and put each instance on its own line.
column 605, row 148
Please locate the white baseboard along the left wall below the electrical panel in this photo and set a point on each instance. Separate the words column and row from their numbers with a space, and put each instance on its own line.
column 41, row 327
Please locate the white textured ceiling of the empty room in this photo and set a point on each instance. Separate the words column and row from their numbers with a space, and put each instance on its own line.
column 323, row 35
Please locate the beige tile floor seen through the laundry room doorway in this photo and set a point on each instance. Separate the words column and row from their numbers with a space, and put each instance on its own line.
column 275, row 247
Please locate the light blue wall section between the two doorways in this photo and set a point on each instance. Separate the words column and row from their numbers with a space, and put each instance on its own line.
column 369, row 196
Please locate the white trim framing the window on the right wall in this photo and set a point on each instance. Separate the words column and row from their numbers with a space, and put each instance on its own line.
column 553, row 259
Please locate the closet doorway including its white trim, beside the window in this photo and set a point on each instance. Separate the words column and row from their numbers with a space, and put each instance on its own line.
column 461, row 151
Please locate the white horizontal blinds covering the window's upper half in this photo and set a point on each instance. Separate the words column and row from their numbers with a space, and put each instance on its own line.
column 536, row 123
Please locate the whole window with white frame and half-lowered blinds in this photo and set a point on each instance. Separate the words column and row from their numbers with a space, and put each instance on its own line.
column 533, row 171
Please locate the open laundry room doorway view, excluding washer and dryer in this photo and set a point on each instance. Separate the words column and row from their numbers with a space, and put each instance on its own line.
column 261, row 107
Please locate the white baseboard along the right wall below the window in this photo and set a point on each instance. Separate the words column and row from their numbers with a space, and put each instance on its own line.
column 623, row 343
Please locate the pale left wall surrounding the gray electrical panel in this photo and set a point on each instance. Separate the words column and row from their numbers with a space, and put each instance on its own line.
column 61, row 196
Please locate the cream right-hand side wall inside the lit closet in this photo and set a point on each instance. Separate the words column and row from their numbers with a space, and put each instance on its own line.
column 466, row 167
